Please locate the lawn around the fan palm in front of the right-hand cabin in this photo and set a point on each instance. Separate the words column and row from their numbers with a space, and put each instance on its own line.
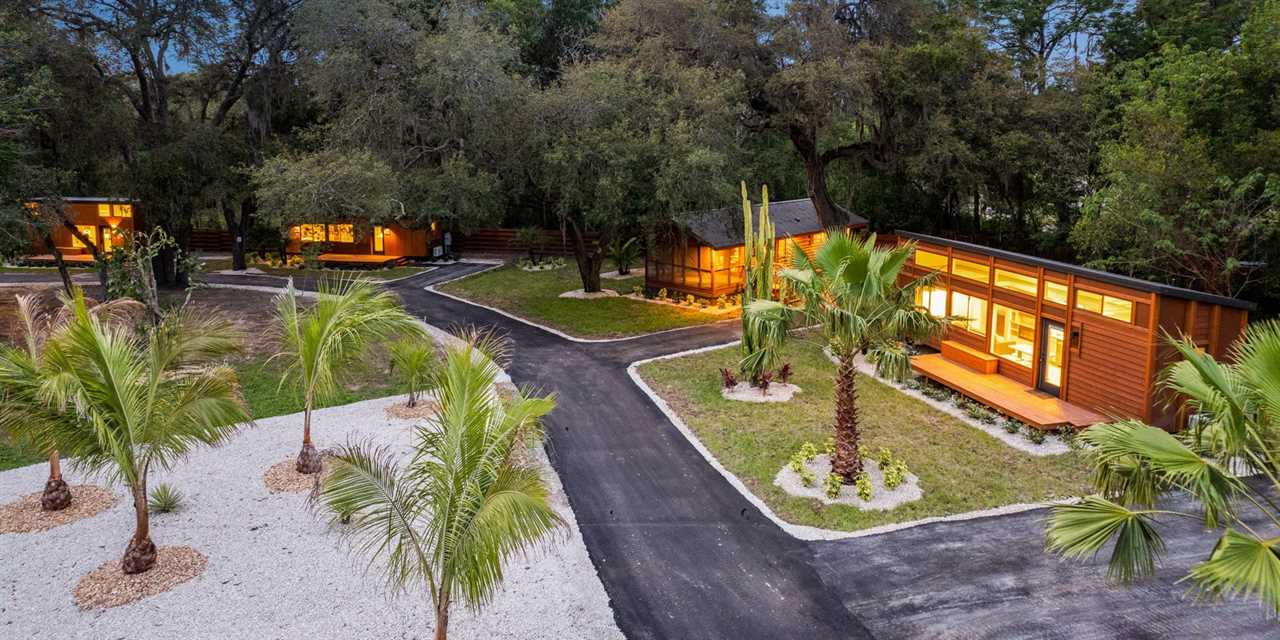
column 961, row 468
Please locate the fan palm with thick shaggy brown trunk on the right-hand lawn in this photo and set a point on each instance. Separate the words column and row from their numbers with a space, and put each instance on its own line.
column 851, row 291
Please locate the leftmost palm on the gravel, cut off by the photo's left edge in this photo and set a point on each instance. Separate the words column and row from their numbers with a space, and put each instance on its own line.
column 24, row 413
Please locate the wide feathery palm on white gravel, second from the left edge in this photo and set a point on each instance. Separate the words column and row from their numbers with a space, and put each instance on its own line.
column 143, row 400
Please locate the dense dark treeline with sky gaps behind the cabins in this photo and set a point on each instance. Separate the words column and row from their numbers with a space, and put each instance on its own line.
column 1139, row 136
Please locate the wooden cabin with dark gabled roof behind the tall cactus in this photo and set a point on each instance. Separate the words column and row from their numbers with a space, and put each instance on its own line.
column 702, row 253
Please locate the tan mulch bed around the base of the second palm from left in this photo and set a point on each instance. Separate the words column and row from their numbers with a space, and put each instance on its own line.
column 108, row 587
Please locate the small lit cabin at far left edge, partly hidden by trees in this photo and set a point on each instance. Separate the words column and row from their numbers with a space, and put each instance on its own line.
column 107, row 222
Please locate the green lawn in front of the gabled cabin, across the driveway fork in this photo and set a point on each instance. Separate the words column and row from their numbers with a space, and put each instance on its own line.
column 536, row 296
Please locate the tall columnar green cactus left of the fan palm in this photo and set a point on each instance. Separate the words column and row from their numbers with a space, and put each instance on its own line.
column 761, row 340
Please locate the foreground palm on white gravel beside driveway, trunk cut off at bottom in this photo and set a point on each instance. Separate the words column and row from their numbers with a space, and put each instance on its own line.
column 464, row 504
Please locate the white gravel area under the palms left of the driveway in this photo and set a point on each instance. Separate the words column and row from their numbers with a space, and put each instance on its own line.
column 276, row 569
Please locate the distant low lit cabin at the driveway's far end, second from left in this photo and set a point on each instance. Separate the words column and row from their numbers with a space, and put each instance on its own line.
column 362, row 244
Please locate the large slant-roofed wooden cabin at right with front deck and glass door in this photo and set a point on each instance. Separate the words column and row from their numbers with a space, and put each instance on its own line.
column 1058, row 345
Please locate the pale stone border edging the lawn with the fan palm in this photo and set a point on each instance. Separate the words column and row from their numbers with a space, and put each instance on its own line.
column 802, row 532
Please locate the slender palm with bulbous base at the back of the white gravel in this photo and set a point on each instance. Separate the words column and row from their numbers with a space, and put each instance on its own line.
column 321, row 342
